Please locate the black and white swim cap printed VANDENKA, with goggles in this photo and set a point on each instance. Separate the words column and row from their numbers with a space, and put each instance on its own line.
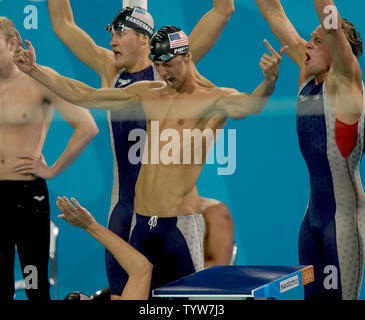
column 136, row 18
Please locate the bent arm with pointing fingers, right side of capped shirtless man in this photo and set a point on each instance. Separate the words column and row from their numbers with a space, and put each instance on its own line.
column 240, row 105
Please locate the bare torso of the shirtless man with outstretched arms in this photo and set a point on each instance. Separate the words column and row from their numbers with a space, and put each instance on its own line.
column 164, row 189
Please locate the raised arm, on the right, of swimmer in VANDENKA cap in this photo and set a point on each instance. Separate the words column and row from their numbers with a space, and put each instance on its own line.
column 209, row 28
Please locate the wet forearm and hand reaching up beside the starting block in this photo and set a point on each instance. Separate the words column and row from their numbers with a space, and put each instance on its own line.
column 137, row 266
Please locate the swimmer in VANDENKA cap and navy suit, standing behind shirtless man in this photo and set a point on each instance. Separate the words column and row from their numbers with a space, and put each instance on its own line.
column 125, row 64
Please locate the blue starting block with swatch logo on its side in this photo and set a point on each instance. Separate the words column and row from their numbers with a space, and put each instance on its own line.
column 238, row 282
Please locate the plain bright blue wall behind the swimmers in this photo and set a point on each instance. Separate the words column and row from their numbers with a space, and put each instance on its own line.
column 269, row 191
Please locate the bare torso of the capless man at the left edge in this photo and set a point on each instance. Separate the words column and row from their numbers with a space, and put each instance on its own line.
column 24, row 121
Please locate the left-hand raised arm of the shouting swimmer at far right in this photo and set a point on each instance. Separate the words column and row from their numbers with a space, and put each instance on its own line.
column 283, row 29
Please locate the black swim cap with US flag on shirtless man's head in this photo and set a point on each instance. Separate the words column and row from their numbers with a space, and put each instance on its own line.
column 167, row 43
